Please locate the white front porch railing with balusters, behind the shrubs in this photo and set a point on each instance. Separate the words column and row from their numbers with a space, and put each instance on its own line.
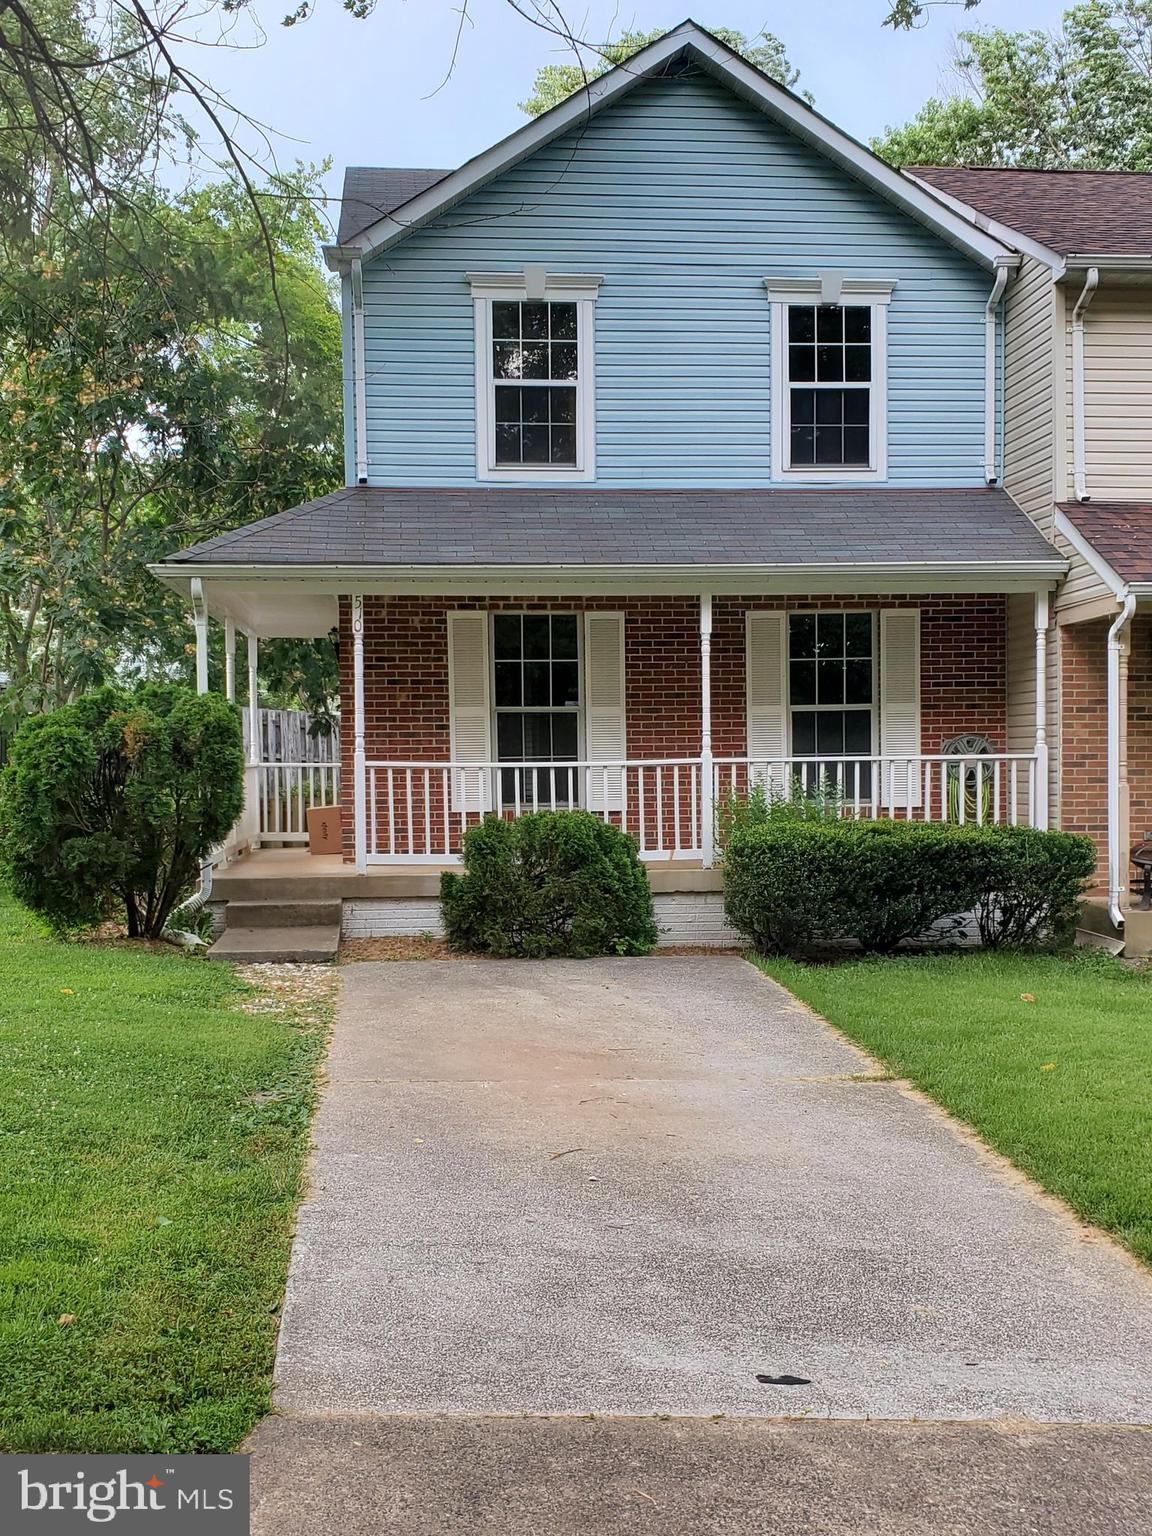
column 420, row 812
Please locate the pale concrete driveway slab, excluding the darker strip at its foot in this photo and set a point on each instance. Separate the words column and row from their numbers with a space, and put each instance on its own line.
column 643, row 1187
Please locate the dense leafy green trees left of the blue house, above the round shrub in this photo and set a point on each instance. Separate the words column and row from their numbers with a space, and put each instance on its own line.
column 148, row 403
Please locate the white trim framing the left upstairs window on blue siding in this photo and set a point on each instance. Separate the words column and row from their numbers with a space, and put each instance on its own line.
column 557, row 288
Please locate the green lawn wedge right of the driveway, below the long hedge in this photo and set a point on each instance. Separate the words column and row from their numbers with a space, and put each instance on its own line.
column 1050, row 1059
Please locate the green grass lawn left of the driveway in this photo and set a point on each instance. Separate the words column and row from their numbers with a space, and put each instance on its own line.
column 154, row 1117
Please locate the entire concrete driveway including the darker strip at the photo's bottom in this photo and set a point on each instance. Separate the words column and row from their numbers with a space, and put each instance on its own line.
column 635, row 1190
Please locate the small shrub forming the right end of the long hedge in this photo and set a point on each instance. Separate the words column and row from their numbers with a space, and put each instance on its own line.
column 1034, row 889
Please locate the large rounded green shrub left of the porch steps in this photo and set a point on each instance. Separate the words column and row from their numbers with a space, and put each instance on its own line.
column 111, row 804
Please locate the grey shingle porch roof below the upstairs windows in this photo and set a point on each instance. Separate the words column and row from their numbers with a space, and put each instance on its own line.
column 497, row 526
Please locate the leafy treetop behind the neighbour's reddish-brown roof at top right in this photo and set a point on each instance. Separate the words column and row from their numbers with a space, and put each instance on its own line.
column 1076, row 99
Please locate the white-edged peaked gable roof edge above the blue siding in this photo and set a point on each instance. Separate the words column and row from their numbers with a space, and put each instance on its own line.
column 723, row 64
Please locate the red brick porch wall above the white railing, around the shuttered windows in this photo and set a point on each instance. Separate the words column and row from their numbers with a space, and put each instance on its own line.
column 406, row 672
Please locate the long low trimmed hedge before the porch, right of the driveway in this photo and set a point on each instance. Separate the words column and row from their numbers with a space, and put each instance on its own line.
column 793, row 886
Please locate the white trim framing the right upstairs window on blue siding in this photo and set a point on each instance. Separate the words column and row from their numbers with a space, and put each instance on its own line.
column 816, row 291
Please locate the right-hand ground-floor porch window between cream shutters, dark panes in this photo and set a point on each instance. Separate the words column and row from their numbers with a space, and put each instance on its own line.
column 832, row 697
